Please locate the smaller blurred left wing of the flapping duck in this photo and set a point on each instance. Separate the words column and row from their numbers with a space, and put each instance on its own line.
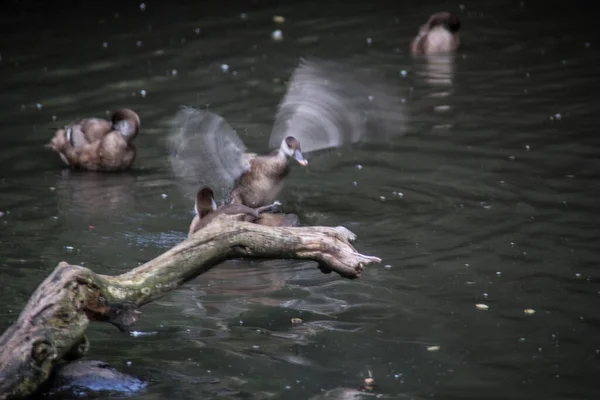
column 205, row 151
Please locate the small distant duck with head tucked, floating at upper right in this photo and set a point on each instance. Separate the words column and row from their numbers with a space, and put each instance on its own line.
column 438, row 35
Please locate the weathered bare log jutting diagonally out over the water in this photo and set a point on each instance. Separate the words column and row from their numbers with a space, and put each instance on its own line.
column 52, row 325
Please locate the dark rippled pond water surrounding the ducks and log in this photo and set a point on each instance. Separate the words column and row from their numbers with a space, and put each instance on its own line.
column 498, row 172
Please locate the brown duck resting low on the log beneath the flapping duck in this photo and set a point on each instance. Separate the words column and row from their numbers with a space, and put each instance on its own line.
column 206, row 210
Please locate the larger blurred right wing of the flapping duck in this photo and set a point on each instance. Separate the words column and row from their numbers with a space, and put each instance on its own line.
column 329, row 105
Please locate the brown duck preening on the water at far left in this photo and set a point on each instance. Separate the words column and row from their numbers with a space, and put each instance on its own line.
column 96, row 144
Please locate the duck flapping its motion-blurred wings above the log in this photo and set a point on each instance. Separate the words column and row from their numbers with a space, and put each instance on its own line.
column 326, row 106
